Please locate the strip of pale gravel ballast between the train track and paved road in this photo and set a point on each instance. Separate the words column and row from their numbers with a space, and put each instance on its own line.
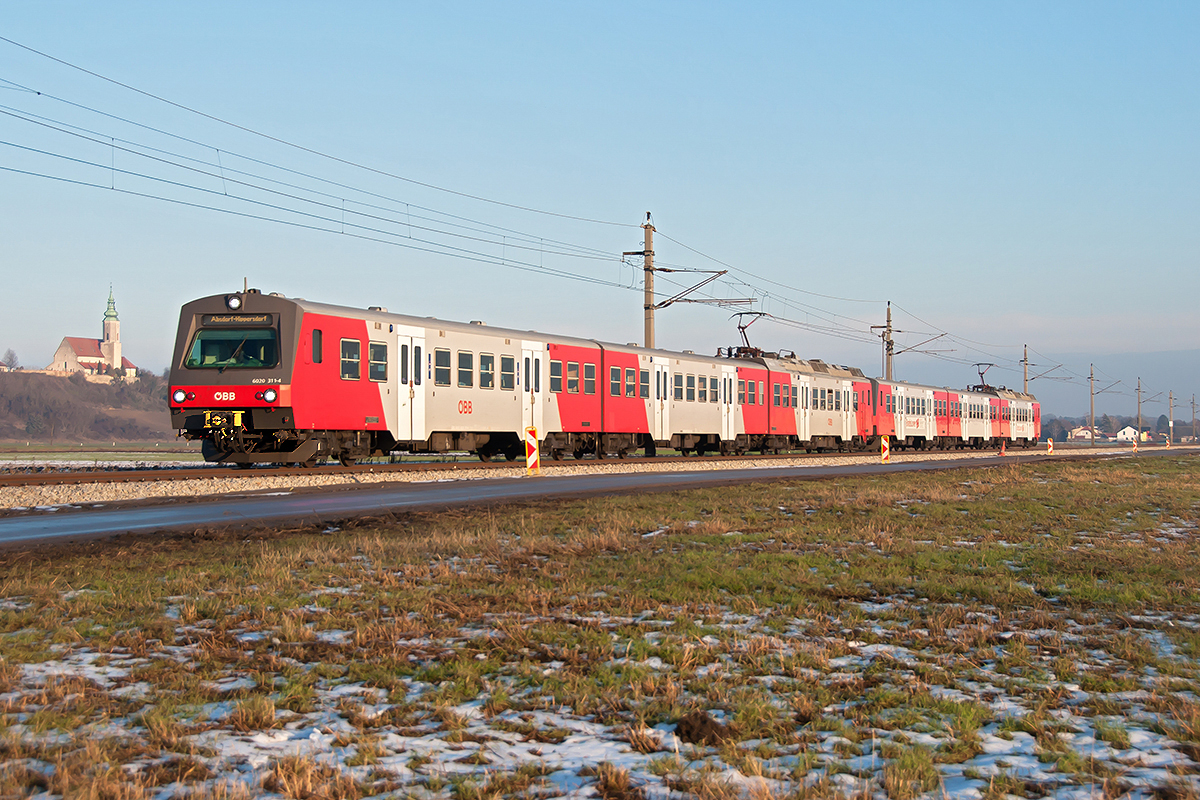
column 43, row 497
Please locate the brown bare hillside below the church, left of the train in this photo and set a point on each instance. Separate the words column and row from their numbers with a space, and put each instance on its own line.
column 47, row 408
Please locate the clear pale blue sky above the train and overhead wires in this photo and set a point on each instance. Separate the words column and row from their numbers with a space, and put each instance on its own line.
column 1004, row 175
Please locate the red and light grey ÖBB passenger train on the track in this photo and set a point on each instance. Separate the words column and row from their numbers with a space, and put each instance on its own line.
column 267, row 380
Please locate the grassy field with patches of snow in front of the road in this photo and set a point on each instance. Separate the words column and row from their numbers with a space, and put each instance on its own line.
column 1023, row 631
